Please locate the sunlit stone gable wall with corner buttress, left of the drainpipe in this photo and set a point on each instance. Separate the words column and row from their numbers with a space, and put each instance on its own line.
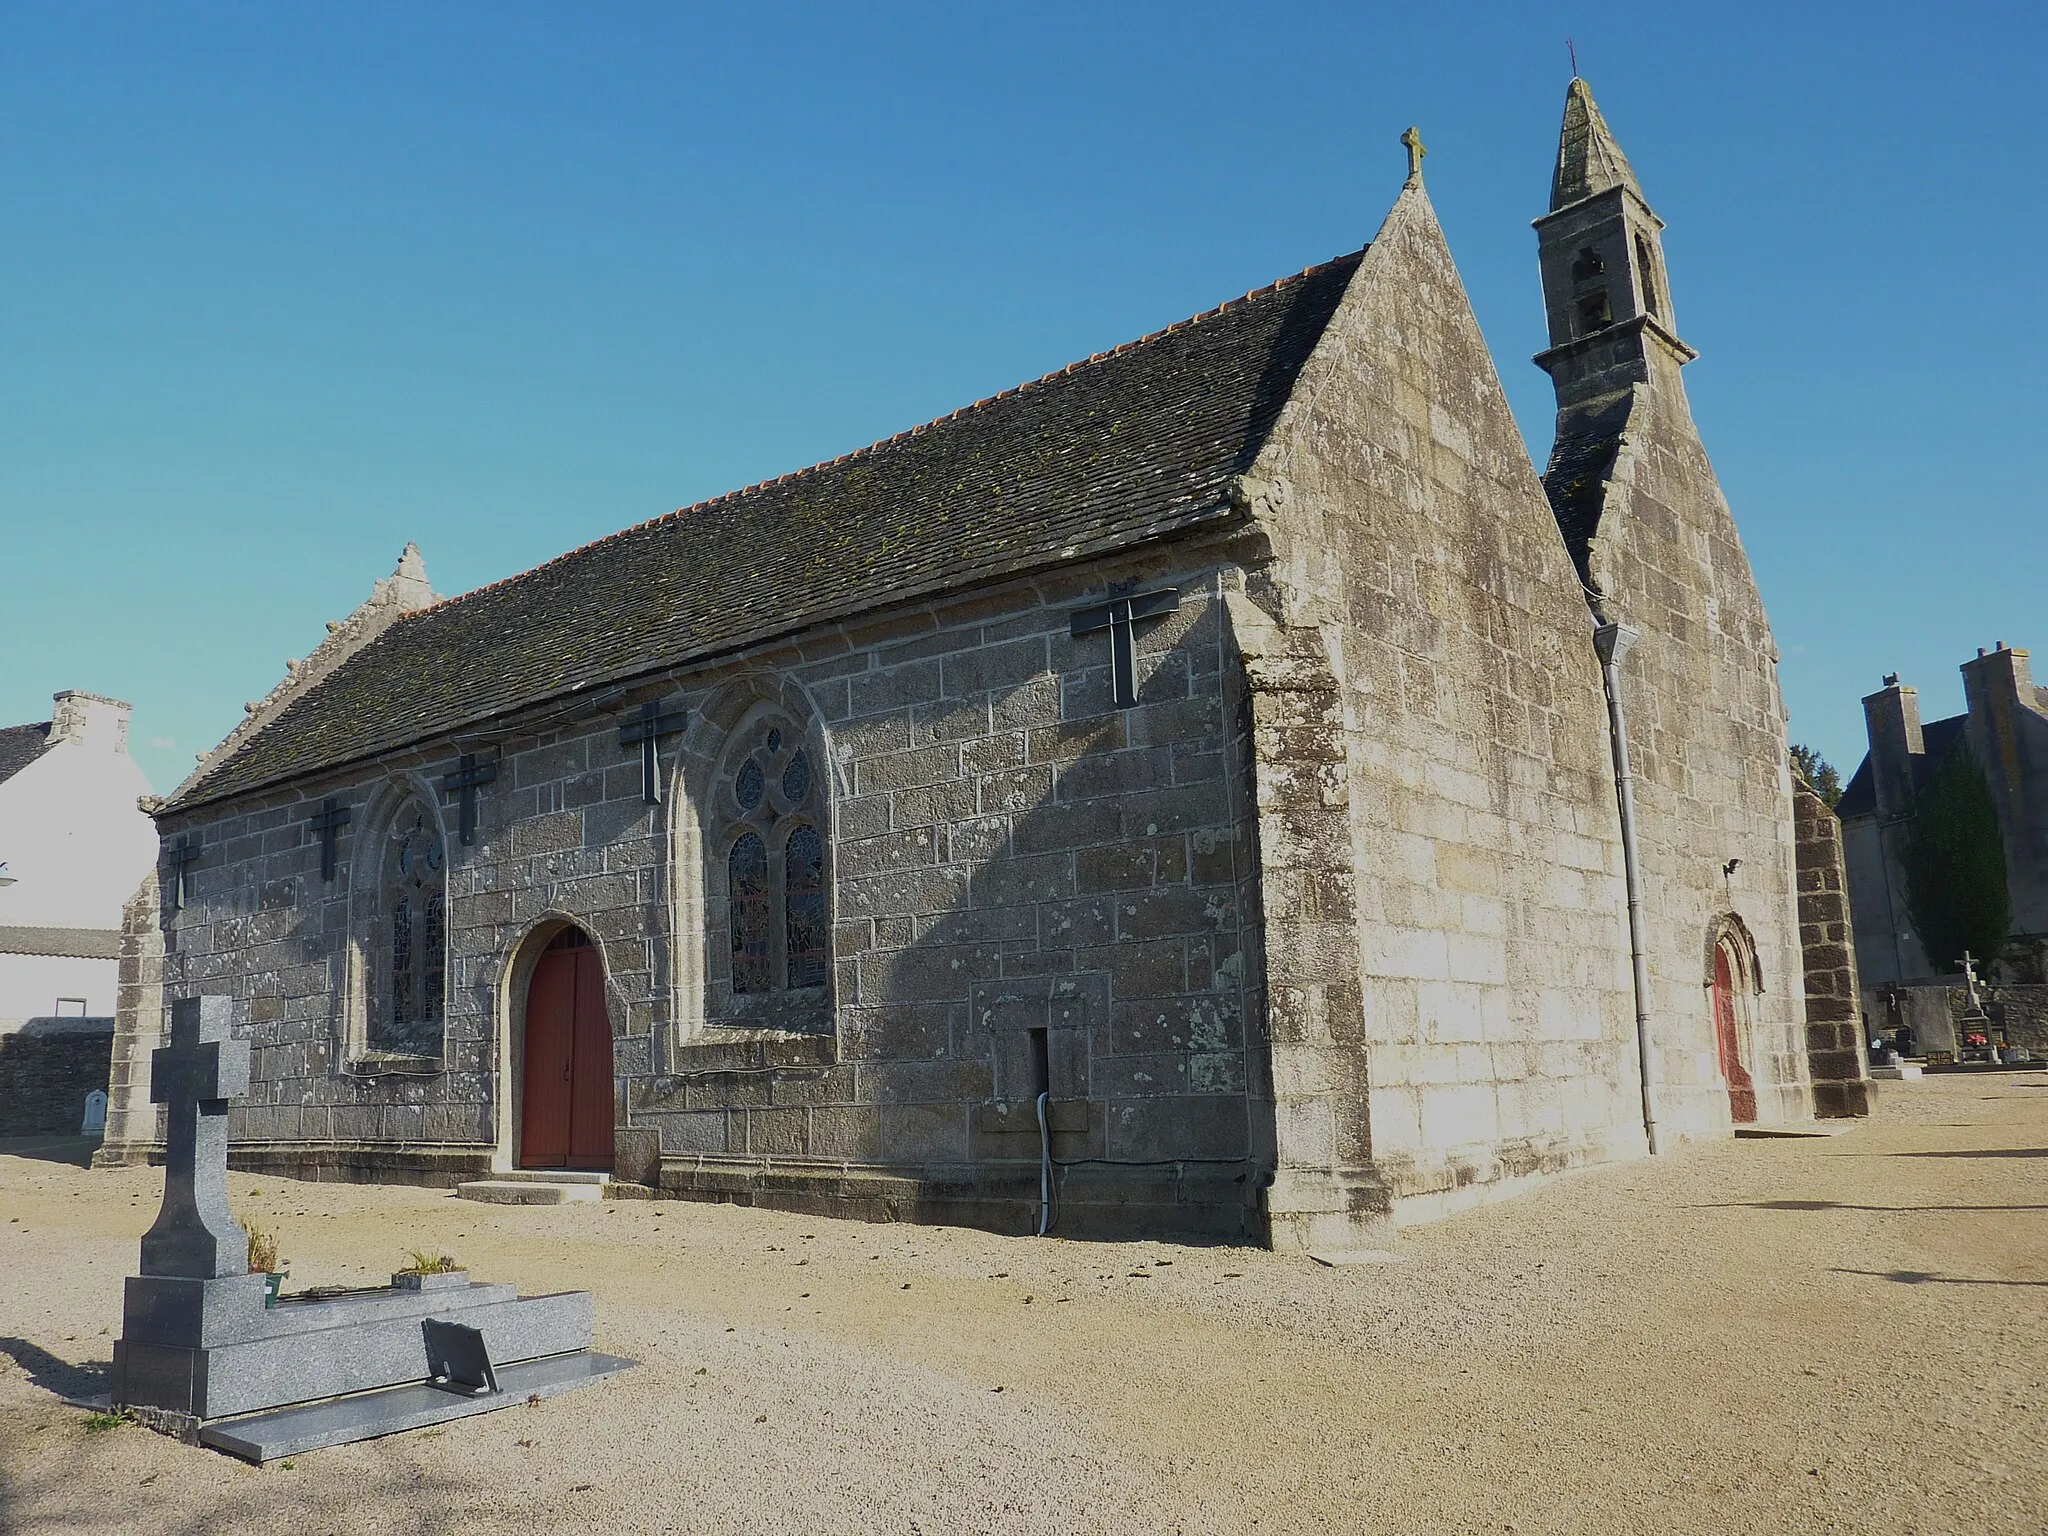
column 1445, row 880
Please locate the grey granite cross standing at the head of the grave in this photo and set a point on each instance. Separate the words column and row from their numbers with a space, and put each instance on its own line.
column 196, row 1076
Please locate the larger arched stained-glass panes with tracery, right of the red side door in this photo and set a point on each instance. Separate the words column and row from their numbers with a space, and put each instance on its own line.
column 771, row 804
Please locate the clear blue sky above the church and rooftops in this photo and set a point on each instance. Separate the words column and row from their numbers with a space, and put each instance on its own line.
column 286, row 286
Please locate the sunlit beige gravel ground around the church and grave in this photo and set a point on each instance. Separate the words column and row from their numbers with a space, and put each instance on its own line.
column 1834, row 1334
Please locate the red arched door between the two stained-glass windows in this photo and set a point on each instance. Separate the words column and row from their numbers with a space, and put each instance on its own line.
column 566, row 1099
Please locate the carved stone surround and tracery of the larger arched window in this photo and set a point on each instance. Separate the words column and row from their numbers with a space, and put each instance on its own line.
column 730, row 726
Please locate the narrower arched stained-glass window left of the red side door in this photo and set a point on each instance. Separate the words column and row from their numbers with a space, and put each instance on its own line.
column 415, row 941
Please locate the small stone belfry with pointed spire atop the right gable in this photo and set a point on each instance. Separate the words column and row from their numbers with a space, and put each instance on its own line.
column 1605, row 288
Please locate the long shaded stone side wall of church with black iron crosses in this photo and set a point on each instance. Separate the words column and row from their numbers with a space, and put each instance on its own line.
column 1011, row 853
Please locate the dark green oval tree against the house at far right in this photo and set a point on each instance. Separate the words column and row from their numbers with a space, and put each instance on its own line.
column 1955, row 863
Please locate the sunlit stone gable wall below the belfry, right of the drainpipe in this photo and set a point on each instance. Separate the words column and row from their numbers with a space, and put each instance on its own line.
column 1707, row 734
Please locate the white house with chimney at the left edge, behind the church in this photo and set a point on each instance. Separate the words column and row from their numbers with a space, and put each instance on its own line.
column 73, row 849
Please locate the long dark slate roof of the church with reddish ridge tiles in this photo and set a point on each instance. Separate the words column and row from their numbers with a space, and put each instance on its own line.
column 1099, row 456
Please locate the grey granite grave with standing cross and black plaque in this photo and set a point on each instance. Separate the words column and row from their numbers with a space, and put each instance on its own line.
column 204, row 1355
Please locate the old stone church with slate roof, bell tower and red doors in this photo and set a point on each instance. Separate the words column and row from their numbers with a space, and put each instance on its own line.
column 1185, row 794
